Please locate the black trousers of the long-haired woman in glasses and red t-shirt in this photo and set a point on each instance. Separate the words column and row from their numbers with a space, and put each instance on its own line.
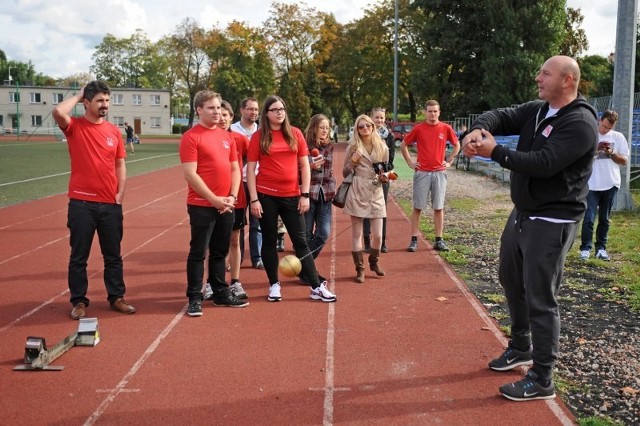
column 287, row 209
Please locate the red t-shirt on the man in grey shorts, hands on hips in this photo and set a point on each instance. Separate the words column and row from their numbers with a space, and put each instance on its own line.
column 431, row 143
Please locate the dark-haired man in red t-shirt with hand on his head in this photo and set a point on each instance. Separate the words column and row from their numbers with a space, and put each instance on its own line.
column 96, row 191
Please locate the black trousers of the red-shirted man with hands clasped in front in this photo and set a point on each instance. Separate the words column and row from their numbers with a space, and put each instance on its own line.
column 209, row 230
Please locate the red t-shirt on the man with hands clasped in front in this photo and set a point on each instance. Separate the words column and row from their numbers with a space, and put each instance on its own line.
column 213, row 150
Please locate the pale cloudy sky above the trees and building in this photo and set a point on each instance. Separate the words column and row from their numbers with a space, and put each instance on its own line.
column 59, row 37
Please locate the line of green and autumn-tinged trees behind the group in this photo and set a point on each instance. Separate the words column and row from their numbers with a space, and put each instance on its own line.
column 470, row 56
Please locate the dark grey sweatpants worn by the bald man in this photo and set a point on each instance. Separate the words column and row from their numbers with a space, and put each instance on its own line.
column 532, row 256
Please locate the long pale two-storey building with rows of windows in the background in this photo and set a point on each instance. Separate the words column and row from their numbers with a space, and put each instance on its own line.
column 146, row 110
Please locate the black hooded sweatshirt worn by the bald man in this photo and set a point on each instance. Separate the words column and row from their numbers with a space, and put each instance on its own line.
column 552, row 163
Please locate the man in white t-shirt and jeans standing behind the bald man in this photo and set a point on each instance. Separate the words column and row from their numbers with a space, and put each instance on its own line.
column 605, row 180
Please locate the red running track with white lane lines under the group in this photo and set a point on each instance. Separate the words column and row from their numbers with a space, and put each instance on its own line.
column 389, row 351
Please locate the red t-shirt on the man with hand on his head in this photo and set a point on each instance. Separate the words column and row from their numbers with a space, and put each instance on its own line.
column 93, row 150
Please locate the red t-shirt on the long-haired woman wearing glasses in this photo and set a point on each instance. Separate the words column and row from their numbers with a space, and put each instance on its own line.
column 279, row 174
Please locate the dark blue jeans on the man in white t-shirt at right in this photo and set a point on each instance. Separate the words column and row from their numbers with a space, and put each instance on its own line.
column 602, row 203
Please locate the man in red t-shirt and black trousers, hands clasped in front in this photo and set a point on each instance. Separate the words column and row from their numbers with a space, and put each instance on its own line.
column 210, row 164
